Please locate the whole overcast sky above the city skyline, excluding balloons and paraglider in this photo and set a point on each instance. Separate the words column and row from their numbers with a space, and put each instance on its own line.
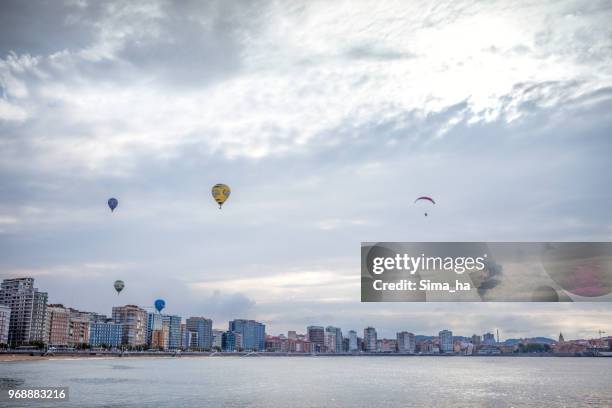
column 326, row 120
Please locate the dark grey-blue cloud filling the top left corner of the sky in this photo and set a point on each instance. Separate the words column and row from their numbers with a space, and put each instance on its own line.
column 187, row 44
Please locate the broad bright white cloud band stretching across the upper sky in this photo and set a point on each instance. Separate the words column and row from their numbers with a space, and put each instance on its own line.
column 310, row 70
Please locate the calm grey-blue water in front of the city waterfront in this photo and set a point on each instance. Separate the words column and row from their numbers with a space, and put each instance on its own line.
column 321, row 381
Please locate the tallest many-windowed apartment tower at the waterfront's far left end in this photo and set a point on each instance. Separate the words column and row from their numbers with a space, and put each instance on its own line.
column 28, row 310
